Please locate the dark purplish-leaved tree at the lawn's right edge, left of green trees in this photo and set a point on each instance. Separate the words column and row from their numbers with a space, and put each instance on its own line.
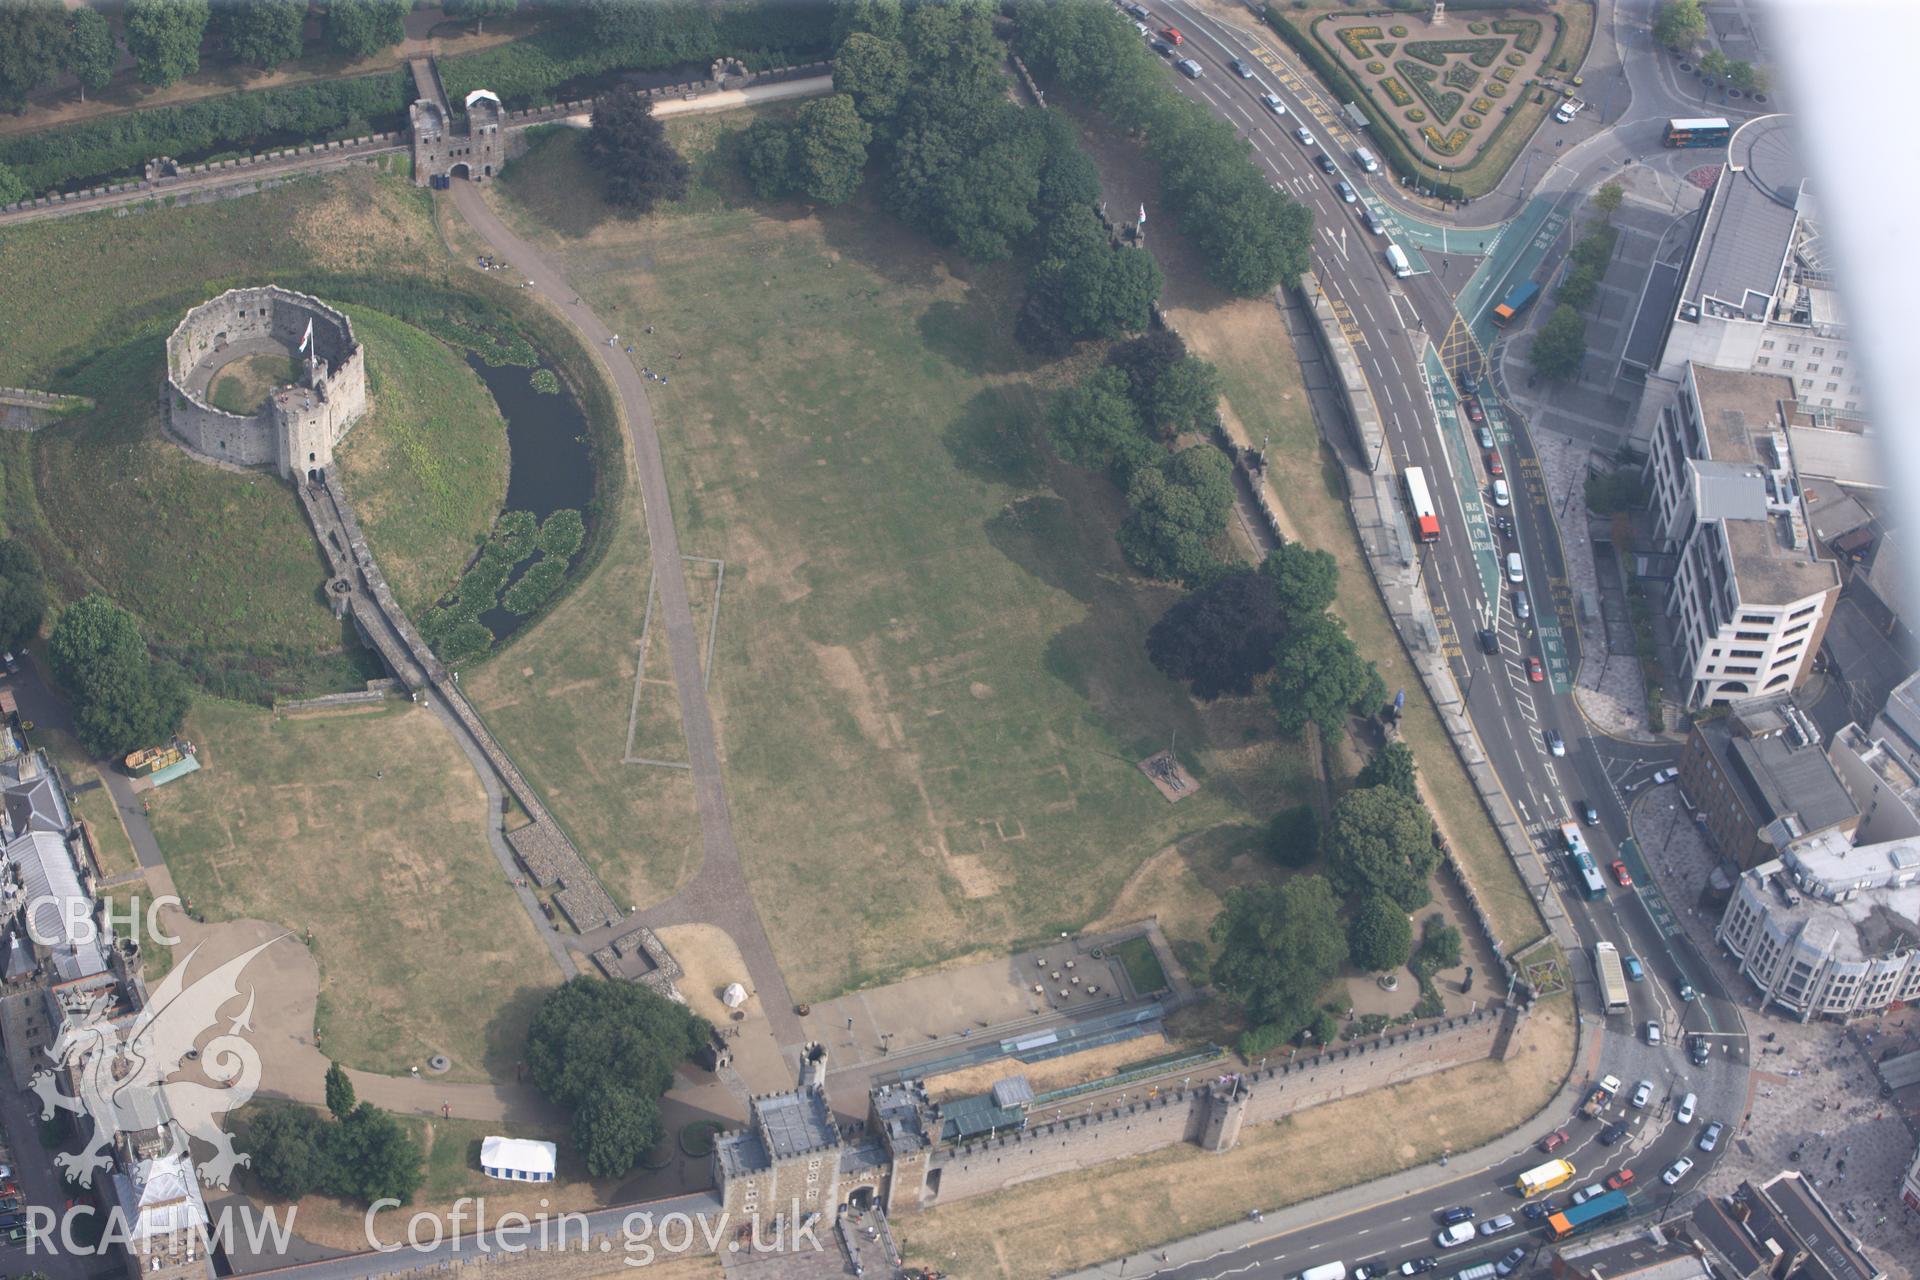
column 1220, row 638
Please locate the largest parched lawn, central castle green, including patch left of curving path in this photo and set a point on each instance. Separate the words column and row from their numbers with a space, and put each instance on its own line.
column 930, row 675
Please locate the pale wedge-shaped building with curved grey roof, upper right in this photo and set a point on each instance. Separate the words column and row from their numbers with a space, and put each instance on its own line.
column 1758, row 293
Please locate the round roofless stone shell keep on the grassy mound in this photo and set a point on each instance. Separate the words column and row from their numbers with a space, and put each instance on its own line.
column 300, row 425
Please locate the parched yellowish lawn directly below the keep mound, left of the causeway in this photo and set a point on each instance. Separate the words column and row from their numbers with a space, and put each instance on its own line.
column 366, row 828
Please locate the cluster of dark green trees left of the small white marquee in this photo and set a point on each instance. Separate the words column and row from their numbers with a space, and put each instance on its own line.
column 358, row 1152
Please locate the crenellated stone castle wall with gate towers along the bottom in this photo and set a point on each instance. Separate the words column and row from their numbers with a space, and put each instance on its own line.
column 905, row 1154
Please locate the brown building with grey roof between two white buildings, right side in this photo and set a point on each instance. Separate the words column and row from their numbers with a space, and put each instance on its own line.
column 1760, row 780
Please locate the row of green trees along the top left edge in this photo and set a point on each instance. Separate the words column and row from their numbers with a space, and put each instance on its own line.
column 168, row 39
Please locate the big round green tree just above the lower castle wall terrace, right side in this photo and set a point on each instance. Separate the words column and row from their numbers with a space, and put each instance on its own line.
column 1280, row 949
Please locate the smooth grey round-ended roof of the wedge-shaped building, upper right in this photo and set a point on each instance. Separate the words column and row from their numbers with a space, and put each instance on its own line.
column 1750, row 222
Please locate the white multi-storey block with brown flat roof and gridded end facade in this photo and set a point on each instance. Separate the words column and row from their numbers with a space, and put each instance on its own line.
column 1752, row 590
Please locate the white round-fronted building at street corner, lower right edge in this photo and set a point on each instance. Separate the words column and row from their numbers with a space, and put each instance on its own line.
column 1829, row 930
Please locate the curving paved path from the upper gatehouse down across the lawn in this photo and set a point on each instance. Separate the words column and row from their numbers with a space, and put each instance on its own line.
column 719, row 891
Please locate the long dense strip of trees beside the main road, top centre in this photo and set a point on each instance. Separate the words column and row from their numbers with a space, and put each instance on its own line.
column 1251, row 235
